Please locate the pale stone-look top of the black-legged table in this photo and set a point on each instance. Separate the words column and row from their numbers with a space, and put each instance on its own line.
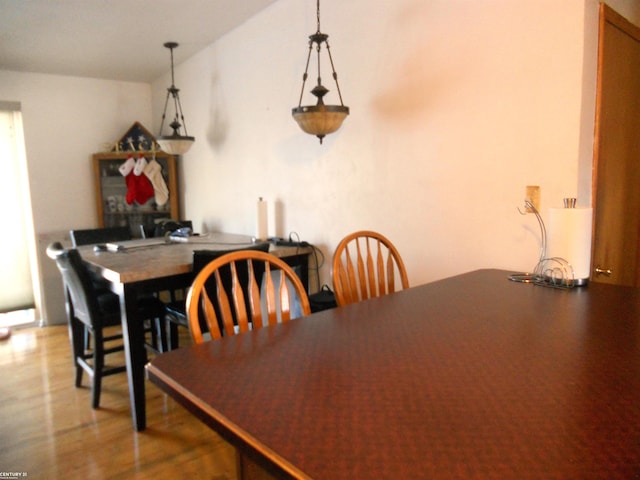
column 154, row 261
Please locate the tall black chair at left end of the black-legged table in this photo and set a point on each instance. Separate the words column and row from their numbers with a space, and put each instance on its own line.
column 95, row 313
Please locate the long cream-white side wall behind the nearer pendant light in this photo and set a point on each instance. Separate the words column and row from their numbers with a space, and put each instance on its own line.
column 456, row 106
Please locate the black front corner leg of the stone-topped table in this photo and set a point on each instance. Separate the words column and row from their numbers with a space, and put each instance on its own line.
column 135, row 353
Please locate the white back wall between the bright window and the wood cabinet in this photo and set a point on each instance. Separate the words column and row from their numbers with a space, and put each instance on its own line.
column 66, row 120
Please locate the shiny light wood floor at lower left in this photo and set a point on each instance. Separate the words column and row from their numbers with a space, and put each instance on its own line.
column 48, row 429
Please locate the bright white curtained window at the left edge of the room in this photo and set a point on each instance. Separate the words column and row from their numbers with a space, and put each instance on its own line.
column 16, row 291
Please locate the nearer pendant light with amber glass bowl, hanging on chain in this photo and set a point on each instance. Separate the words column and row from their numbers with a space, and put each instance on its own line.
column 319, row 119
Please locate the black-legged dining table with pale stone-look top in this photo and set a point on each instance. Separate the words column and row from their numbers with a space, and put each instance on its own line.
column 150, row 265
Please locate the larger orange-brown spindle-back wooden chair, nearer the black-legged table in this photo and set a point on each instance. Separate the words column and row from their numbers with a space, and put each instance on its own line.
column 248, row 301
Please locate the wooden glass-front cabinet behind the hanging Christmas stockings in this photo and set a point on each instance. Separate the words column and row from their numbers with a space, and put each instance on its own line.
column 112, row 189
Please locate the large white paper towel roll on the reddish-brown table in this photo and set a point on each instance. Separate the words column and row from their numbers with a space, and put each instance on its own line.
column 570, row 238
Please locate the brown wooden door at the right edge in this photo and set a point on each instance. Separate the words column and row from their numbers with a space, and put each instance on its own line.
column 616, row 185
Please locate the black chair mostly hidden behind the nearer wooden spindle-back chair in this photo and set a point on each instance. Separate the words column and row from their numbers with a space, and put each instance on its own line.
column 177, row 311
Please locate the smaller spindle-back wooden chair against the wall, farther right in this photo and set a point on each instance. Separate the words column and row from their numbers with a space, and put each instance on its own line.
column 366, row 265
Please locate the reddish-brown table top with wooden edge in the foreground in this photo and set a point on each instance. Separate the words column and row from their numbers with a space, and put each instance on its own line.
column 469, row 377
